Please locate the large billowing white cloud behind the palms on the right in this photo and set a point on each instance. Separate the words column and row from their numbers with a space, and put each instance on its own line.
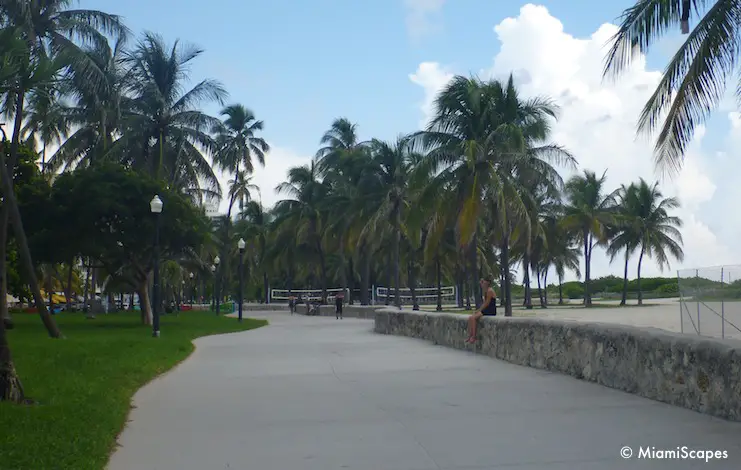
column 598, row 121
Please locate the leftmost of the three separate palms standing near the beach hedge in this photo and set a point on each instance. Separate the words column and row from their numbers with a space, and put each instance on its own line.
column 589, row 212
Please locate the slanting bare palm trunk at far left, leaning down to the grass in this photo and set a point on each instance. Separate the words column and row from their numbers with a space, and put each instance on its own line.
column 20, row 235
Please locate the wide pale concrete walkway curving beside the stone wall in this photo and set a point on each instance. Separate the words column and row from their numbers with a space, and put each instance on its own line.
column 322, row 394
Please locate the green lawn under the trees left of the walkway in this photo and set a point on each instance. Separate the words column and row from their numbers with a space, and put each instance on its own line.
column 83, row 384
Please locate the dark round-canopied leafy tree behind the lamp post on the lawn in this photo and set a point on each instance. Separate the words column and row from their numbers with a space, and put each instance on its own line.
column 106, row 210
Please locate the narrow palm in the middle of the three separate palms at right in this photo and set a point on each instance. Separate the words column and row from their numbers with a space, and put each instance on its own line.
column 623, row 235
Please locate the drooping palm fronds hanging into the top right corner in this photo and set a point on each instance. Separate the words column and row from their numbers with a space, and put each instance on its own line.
column 695, row 79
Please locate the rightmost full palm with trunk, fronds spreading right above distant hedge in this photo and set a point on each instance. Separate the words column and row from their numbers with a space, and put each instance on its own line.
column 659, row 235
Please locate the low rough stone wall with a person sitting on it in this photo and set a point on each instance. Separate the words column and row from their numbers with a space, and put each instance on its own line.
column 694, row 372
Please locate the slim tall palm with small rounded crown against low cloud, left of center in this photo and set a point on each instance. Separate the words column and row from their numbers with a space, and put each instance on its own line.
column 237, row 144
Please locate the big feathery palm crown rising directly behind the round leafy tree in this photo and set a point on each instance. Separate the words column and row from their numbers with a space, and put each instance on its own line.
column 163, row 128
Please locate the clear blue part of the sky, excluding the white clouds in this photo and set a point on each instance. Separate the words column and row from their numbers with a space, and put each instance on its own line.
column 301, row 63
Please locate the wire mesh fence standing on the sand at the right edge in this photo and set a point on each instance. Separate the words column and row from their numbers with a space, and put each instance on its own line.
column 710, row 301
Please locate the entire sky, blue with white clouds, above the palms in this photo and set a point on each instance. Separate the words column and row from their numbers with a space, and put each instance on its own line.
column 300, row 64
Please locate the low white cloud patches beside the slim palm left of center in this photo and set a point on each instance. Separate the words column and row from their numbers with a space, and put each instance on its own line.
column 277, row 163
